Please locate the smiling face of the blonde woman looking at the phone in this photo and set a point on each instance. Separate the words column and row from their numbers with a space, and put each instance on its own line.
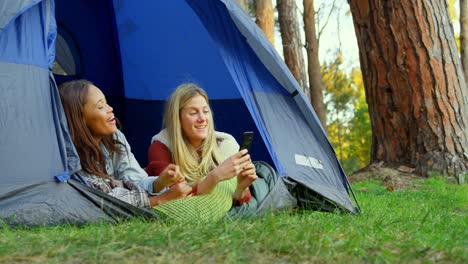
column 194, row 119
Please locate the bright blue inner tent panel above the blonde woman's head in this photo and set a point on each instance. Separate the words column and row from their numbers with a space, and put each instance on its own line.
column 160, row 50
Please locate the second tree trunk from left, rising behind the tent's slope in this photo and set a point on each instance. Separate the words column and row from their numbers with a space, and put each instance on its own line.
column 292, row 48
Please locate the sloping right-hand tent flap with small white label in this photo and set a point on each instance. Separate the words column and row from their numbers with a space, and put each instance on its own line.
column 263, row 95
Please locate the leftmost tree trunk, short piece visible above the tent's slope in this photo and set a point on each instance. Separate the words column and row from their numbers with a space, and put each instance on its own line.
column 265, row 18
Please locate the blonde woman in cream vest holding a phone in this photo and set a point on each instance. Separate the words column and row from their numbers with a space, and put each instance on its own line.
column 210, row 161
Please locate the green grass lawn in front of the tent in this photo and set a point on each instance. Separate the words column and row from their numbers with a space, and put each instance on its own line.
column 423, row 225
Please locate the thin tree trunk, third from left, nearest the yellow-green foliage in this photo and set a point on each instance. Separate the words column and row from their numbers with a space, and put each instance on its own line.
column 315, row 79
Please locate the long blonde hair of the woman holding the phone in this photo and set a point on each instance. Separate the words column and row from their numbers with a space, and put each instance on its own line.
column 194, row 163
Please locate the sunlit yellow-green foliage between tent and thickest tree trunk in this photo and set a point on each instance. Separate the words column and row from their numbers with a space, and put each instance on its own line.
column 348, row 122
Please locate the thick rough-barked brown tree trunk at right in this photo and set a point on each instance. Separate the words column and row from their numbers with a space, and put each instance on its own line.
column 414, row 86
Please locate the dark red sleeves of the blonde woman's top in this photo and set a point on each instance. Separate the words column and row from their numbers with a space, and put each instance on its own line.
column 159, row 157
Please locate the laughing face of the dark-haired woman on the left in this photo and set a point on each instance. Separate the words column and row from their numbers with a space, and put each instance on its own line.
column 98, row 115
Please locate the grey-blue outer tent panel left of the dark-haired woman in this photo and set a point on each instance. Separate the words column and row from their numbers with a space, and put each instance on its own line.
column 26, row 111
